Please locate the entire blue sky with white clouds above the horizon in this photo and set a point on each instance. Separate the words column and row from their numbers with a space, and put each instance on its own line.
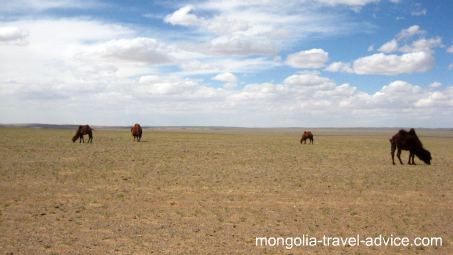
column 249, row 63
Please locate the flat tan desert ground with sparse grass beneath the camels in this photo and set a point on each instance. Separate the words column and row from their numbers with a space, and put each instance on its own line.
column 213, row 191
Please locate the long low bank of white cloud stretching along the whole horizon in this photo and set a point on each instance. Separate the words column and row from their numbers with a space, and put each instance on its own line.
column 299, row 100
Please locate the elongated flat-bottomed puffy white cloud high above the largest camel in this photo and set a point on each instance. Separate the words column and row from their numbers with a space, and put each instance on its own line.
column 394, row 64
